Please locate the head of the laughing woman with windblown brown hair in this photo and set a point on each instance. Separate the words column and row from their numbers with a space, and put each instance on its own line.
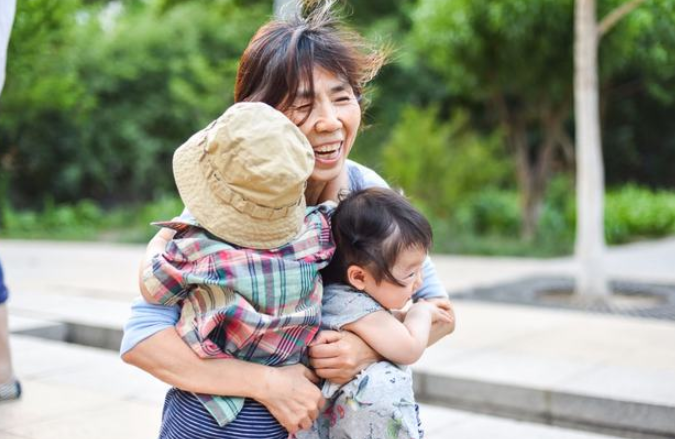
column 314, row 72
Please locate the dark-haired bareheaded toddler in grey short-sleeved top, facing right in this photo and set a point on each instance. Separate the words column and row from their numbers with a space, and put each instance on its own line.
column 382, row 242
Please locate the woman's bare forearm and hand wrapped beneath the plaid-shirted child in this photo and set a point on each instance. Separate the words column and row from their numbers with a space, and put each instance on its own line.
column 289, row 393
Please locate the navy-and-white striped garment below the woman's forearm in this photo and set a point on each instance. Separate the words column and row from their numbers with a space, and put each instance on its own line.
column 184, row 417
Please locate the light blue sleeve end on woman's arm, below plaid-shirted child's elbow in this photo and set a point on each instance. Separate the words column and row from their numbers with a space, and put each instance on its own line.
column 146, row 319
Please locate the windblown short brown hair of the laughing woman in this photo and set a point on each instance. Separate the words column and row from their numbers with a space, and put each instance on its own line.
column 283, row 53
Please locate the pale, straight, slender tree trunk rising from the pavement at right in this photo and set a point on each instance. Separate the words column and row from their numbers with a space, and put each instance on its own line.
column 590, row 239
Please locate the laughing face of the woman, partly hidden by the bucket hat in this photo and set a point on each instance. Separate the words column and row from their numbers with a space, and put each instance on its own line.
column 331, row 122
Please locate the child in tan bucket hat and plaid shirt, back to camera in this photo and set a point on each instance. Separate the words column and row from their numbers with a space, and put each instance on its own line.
column 244, row 264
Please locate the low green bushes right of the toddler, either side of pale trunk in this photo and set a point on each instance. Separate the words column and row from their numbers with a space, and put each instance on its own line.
column 488, row 222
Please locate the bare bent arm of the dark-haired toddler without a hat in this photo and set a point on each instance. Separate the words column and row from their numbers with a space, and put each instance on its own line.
column 399, row 342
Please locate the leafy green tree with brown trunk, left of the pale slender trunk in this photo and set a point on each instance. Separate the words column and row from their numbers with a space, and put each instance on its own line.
column 492, row 53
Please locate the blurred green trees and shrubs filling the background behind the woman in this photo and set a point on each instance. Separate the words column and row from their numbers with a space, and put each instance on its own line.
column 473, row 117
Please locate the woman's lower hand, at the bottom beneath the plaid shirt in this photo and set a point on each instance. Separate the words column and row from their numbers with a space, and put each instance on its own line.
column 292, row 396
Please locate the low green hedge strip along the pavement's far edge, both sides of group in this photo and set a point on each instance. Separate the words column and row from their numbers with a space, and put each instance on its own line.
column 488, row 222
